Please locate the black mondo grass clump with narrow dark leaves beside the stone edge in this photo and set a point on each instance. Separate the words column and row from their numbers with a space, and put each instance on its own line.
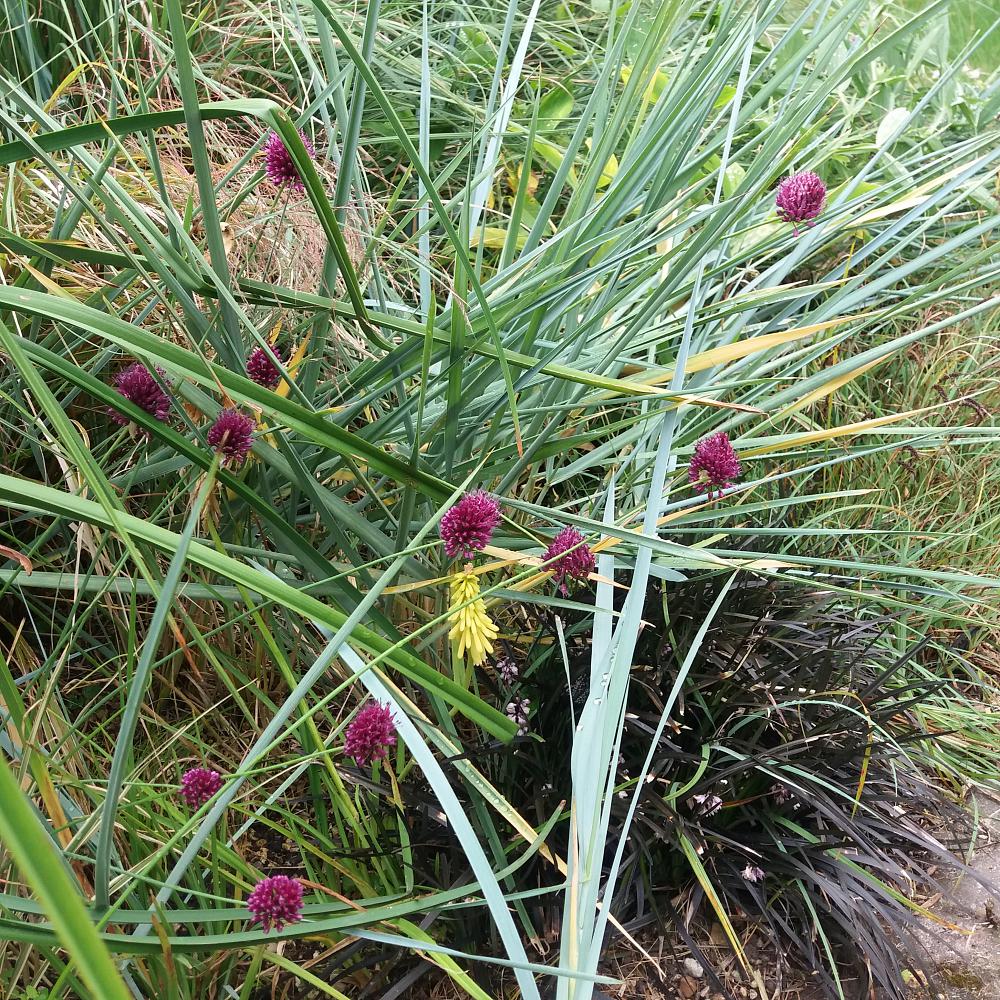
column 789, row 792
